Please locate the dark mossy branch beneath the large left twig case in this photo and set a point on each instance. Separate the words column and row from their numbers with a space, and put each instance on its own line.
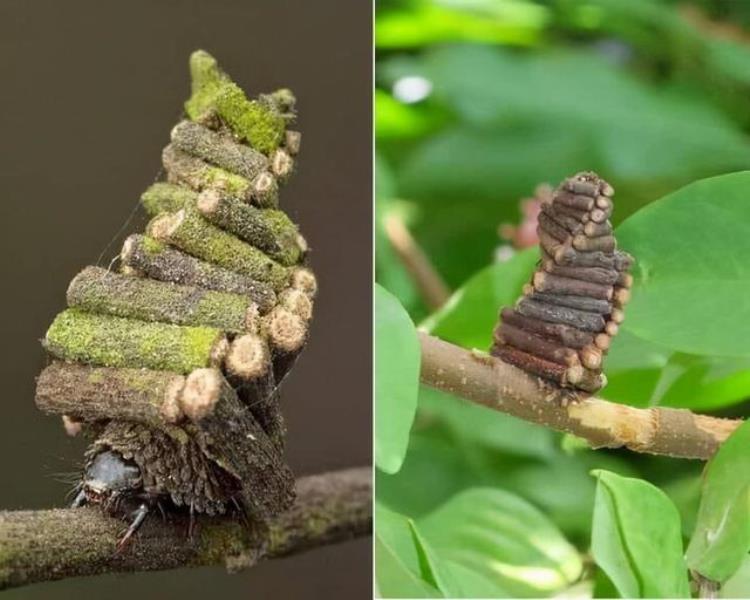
column 54, row 544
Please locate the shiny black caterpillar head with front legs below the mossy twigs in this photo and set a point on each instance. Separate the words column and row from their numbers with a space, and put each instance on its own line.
column 113, row 483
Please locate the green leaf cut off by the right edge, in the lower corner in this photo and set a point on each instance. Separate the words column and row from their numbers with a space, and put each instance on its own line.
column 721, row 539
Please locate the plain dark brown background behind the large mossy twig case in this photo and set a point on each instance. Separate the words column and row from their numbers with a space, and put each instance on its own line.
column 88, row 93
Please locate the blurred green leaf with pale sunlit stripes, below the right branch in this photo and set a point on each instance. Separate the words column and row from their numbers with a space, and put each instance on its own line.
column 503, row 539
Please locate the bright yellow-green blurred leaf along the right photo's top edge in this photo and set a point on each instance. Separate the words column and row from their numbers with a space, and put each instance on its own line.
column 490, row 21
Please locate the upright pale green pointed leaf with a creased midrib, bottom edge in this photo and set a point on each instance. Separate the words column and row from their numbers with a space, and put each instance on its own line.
column 636, row 538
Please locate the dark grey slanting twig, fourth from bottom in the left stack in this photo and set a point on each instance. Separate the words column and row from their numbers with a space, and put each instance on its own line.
column 160, row 261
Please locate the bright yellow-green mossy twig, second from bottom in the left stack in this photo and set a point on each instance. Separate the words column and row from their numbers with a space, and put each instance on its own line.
column 117, row 342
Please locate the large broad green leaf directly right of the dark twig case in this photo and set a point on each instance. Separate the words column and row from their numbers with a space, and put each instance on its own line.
column 693, row 268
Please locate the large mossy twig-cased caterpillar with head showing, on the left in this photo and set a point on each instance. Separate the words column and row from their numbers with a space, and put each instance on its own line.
column 173, row 362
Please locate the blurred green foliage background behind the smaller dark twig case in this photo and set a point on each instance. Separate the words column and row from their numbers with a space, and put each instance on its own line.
column 478, row 102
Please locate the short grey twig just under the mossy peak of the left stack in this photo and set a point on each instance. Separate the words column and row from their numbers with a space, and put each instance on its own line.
column 218, row 149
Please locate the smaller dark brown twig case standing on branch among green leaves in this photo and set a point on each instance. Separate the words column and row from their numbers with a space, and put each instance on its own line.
column 562, row 326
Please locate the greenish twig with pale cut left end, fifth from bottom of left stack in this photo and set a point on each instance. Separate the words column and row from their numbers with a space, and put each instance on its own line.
column 189, row 231
